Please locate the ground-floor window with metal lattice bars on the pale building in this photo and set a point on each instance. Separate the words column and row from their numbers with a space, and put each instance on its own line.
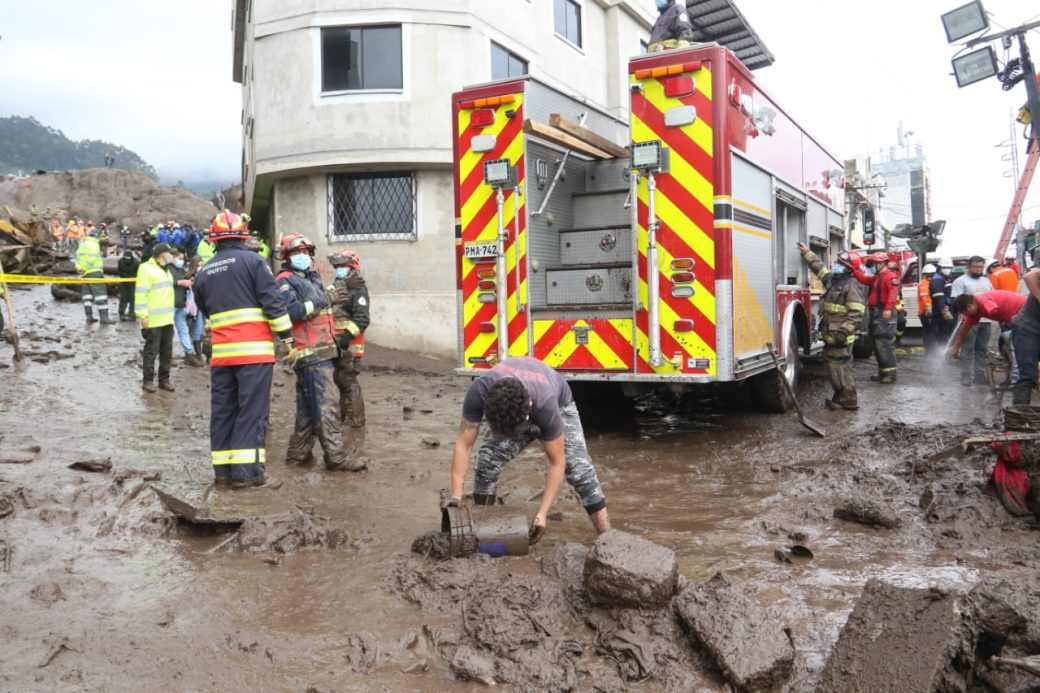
column 372, row 207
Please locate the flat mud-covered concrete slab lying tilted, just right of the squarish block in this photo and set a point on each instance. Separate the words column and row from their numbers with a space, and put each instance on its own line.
column 752, row 651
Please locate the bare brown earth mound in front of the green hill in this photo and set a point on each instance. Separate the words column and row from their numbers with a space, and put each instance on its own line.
column 112, row 196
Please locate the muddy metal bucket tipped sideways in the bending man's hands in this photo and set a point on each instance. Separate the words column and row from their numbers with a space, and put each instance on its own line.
column 492, row 530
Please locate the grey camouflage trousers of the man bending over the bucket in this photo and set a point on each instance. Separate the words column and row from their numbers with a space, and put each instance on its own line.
column 496, row 453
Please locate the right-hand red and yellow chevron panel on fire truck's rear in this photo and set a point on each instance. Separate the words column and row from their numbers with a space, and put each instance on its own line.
column 685, row 207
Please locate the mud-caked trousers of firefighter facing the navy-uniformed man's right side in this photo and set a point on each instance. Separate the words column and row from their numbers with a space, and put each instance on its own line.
column 318, row 417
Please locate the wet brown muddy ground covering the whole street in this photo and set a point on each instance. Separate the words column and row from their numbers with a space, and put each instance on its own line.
column 102, row 588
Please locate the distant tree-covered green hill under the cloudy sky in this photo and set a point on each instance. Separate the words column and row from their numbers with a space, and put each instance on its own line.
column 28, row 145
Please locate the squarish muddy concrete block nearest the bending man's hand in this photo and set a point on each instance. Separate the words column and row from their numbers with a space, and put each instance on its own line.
column 626, row 571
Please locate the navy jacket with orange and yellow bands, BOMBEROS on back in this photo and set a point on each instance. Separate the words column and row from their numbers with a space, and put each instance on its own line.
column 238, row 294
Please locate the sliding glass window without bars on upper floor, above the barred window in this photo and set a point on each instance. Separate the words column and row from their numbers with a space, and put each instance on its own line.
column 361, row 59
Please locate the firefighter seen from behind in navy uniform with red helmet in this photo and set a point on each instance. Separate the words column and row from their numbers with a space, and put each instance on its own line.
column 246, row 311
